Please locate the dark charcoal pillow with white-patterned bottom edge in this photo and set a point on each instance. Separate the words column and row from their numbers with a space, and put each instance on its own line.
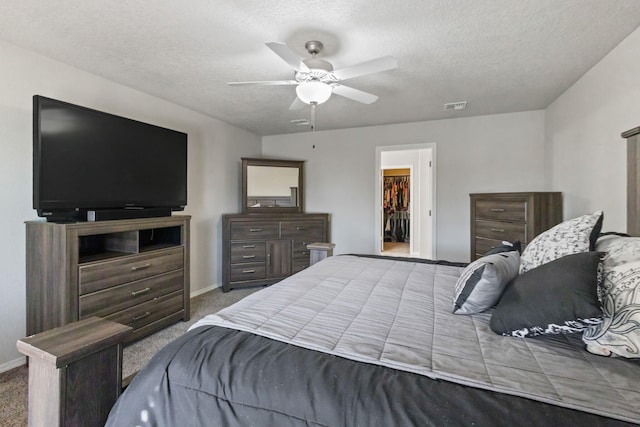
column 560, row 296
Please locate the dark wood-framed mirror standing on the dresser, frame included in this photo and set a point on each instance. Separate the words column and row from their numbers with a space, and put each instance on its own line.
column 272, row 185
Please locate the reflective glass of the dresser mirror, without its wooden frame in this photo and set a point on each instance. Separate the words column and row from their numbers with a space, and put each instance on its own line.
column 272, row 186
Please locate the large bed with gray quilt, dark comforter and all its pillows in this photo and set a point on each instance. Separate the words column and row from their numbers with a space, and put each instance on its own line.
column 359, row 340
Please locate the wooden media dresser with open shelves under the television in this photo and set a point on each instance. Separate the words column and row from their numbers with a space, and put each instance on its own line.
column 134, row 272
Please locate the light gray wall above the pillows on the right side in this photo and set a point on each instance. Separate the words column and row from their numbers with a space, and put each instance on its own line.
column 586, row 157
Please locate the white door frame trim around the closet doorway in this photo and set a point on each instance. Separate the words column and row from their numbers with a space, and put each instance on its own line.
column 419, row 171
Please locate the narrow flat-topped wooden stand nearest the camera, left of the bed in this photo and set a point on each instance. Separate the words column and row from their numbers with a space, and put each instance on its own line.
column 75, row 372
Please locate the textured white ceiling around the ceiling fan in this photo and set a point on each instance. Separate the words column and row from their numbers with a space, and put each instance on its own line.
column 499, row 55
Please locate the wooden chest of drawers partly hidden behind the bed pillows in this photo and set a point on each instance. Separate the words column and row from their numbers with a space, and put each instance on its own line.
column 496, row 217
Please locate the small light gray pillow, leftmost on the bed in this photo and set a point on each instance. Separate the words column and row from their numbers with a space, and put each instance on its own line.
column 482, row 282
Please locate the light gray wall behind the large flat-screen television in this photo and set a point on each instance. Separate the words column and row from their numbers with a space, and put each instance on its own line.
column 214, row 152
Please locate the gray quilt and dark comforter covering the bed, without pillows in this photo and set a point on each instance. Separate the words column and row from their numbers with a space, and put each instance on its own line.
column 366, row 341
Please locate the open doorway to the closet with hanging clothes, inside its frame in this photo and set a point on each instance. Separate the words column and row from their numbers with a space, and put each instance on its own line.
column 405, row 200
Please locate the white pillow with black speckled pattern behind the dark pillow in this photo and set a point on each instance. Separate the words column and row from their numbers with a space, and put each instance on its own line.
column 570, row 237
